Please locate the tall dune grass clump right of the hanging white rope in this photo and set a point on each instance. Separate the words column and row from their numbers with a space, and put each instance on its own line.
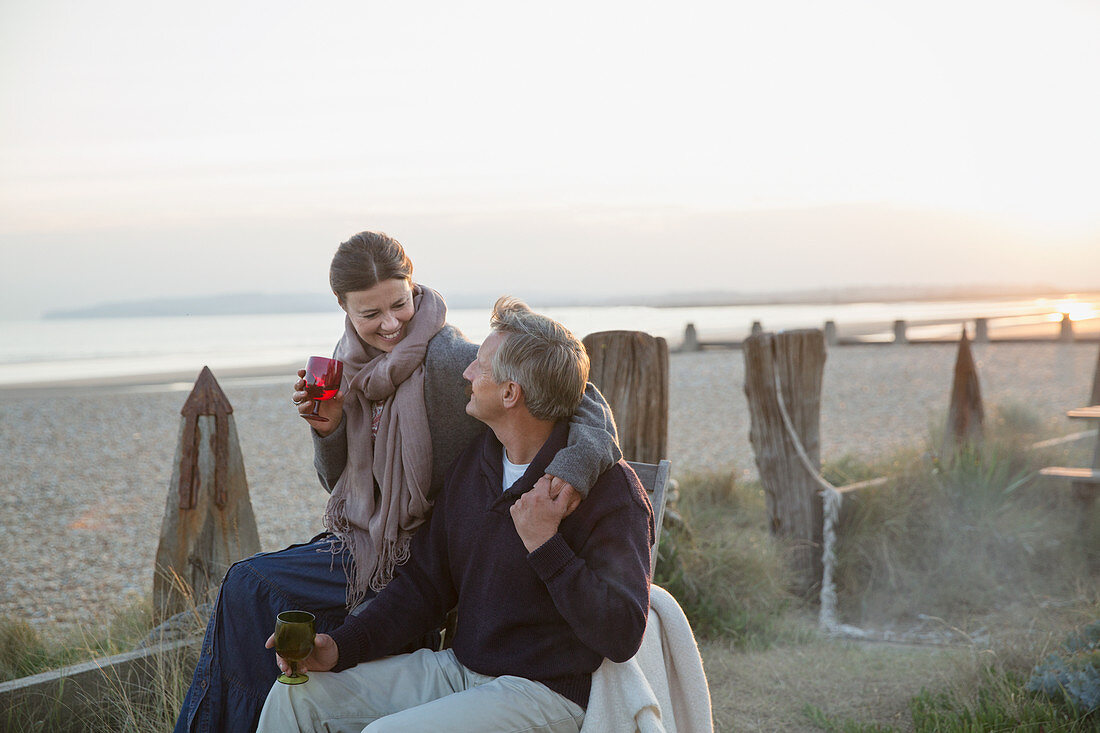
column 959, row 537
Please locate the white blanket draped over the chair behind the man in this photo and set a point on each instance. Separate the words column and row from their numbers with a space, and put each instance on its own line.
column 663, row 690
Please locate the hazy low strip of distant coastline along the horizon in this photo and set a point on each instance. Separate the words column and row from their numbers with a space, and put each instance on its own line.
column 247, row 304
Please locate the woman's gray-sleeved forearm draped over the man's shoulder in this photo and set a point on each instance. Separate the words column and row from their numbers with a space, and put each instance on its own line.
column 593, row 444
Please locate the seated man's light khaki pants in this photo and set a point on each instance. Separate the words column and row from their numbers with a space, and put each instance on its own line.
column 421, row 692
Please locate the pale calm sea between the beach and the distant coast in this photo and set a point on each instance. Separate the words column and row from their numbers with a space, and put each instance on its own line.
column 80, row 349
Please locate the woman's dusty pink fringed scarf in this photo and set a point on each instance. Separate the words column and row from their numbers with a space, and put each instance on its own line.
column 382, row 496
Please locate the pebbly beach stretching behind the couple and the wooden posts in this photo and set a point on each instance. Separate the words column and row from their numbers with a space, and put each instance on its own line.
column 85, row 471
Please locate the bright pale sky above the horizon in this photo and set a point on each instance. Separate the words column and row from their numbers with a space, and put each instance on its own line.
column 567, row 149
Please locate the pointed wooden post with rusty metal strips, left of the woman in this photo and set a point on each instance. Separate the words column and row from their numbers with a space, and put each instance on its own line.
column 208, row 521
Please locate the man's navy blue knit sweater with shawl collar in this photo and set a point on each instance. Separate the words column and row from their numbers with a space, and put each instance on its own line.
column 551, row 616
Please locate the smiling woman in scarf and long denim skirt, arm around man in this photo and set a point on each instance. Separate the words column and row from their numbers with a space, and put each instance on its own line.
column 393, row 431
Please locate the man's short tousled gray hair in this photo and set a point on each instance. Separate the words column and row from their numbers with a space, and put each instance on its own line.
column 543, row 357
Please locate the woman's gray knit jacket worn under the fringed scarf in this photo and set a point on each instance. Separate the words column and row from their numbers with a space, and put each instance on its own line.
column 593, row 441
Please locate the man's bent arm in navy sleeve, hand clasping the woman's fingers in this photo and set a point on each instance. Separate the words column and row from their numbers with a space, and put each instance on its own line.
column 601, row 589
